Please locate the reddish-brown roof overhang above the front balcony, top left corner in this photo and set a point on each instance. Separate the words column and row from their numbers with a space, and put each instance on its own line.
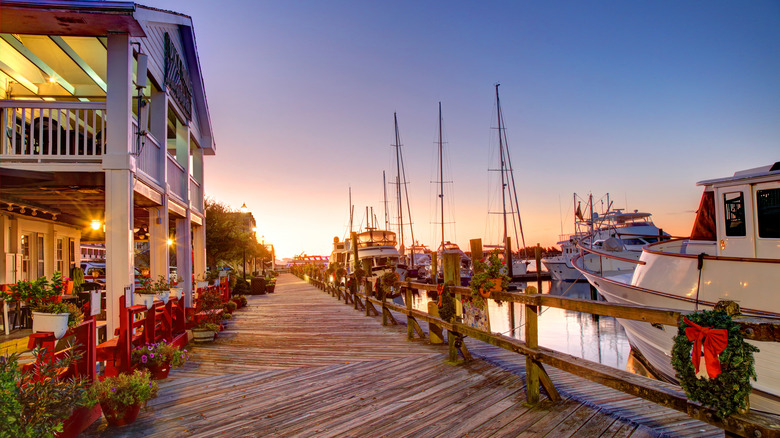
column 73, row 18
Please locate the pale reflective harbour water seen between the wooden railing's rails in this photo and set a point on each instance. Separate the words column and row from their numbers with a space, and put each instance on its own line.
column 595, row 338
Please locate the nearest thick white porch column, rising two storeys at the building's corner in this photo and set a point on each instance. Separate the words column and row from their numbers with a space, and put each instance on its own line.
column 119, row 167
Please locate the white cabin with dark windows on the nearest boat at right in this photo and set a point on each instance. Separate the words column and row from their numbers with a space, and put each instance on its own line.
column 739, row 216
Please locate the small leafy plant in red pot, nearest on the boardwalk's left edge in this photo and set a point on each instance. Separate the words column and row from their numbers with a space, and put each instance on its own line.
column 121, row 397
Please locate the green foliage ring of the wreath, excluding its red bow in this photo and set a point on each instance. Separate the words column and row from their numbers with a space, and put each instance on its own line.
column 728, row 392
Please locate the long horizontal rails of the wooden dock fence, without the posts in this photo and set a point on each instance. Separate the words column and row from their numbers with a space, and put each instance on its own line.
column 751, row 424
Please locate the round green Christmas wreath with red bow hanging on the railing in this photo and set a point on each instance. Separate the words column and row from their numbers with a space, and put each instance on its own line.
column 718, row 377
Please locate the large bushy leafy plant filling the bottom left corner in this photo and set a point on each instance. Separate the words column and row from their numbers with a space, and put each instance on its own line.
column 36, row 401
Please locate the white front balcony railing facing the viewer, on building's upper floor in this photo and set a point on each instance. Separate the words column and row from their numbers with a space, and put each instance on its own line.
column 33, row 131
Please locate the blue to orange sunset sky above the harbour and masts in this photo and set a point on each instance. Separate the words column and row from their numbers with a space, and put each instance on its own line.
column 639, row 99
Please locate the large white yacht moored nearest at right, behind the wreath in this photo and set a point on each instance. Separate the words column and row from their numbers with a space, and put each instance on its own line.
column 733, row 254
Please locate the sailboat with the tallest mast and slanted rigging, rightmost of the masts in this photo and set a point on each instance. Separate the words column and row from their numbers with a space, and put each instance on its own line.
column 512, row 224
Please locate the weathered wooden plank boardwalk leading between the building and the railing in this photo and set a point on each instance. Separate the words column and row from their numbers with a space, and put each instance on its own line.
column 300, row 363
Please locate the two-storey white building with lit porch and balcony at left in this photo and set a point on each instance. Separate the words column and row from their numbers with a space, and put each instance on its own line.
column 105, row 126
